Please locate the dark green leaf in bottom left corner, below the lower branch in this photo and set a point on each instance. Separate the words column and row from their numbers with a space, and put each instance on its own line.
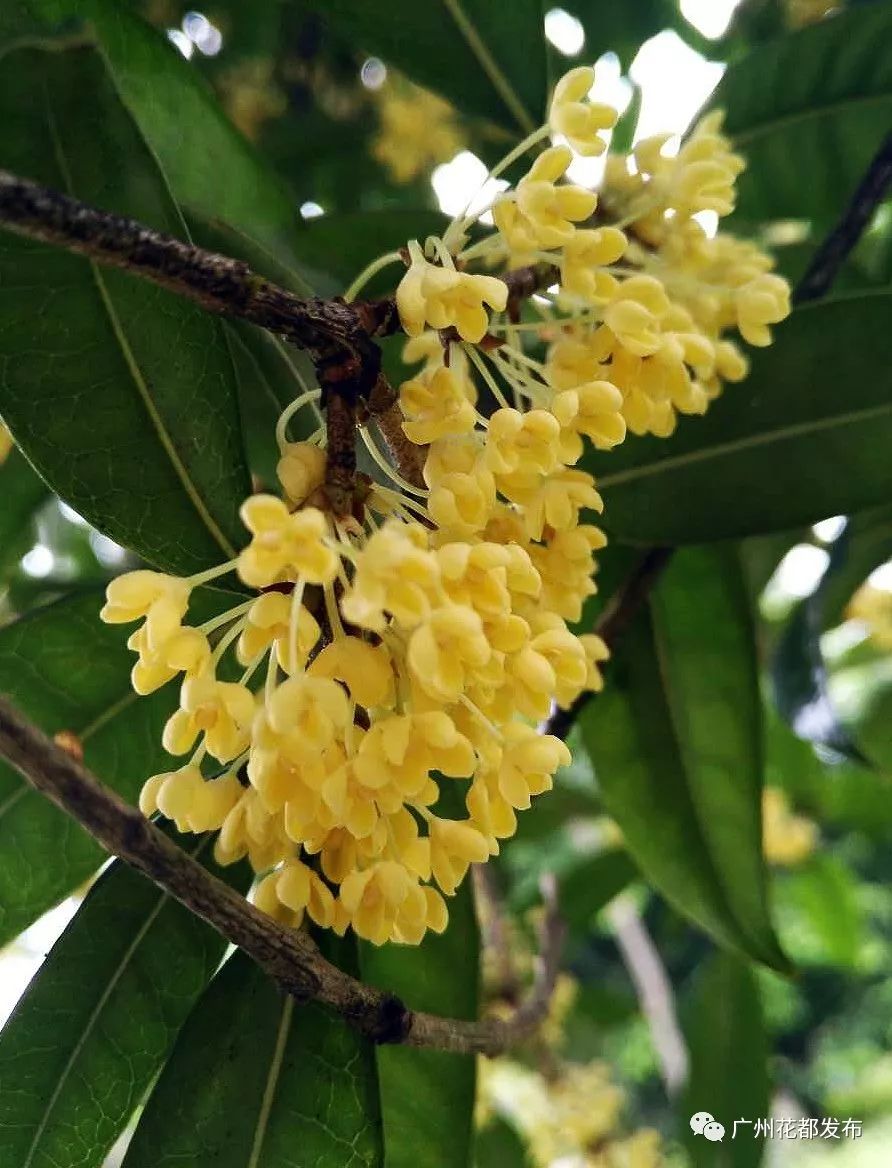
column 96, row 1025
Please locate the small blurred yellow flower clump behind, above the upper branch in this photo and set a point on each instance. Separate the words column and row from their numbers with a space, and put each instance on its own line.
column 417, row 130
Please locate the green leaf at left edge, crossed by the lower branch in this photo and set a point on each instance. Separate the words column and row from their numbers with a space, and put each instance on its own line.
column 67, row 671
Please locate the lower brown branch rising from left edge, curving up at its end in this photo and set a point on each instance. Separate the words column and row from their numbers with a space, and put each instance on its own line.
column 289, row 956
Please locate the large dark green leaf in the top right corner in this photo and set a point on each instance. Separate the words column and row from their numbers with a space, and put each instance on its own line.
column 809, row 112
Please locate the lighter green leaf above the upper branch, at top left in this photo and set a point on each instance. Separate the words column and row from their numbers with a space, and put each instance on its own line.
column 211, row 168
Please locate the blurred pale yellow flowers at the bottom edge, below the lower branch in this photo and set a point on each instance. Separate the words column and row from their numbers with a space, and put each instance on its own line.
column 572, row 1117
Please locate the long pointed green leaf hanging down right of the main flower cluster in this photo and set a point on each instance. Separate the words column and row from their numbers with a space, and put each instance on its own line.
column 677, row 745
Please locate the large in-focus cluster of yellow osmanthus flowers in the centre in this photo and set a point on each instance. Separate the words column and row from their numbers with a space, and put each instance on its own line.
column 363, row 727
